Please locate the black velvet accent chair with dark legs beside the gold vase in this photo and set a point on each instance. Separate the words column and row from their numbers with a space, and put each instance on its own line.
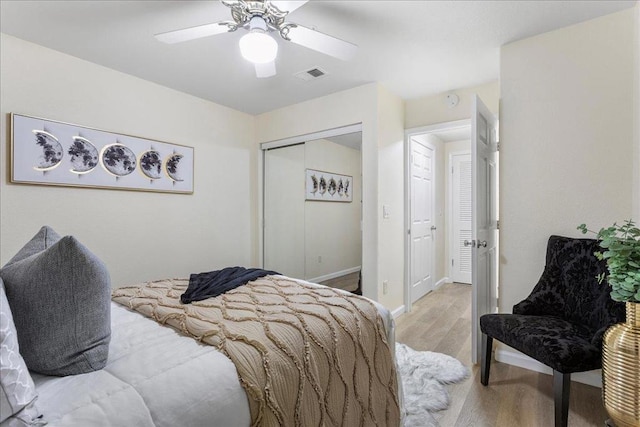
column 562, row 321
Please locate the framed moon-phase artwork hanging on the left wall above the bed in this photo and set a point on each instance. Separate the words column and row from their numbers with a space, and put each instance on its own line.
column 49, row 152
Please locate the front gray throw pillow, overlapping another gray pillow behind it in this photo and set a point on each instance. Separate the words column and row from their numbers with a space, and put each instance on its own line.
column 60, row 299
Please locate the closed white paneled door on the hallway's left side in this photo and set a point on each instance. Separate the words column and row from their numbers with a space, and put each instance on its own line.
column 422, row 218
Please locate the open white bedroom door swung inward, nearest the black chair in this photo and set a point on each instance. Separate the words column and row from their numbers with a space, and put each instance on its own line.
column 485, row 218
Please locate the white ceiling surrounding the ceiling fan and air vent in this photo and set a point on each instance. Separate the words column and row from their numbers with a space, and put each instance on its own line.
column 413, row 48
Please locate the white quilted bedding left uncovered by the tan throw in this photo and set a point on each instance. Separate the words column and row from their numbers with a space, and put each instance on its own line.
column 155, row 376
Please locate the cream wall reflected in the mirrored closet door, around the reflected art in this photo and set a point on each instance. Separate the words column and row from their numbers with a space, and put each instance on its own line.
column 333, row 240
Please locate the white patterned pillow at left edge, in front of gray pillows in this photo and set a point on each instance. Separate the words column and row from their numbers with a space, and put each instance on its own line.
column 17, row 391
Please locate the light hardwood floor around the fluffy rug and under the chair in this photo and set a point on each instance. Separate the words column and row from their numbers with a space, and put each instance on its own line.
column 515, row 397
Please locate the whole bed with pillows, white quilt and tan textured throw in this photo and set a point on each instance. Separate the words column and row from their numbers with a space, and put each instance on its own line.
column 274, row 351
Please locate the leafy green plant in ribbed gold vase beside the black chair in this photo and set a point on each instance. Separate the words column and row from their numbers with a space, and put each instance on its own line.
column 621, row 343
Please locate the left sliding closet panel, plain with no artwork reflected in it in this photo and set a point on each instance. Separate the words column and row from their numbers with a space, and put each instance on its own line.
column 284, row 198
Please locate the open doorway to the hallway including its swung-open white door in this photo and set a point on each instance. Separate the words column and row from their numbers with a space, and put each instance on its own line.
column 449, row 222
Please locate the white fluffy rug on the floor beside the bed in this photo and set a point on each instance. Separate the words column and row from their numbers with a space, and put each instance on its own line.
column 424, row 374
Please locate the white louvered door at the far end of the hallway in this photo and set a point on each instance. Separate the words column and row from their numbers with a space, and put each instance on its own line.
column 461, row 214
